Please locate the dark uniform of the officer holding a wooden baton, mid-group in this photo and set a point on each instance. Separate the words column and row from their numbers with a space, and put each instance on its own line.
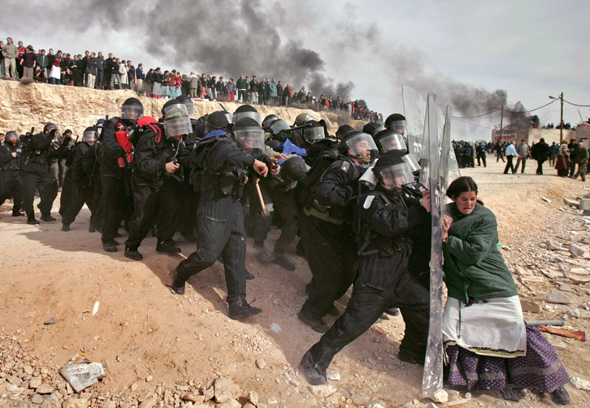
column 220, row 173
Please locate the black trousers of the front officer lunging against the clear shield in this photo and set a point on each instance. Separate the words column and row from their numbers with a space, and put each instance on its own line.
column 379, row 285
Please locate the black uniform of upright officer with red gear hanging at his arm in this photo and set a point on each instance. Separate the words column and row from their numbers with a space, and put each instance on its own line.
column 117, row 201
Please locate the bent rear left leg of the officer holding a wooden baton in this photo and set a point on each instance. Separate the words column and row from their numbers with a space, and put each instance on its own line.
column 214, row 232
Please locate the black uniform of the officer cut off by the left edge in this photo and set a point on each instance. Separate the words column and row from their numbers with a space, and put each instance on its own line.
column 11, row 182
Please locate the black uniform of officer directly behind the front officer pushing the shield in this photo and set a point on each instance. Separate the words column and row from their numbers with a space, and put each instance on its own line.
column 328, row 239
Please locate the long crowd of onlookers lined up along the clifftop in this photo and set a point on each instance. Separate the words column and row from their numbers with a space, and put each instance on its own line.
column 93, row 70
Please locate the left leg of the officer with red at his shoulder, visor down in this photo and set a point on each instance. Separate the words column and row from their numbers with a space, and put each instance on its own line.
column 145, row 202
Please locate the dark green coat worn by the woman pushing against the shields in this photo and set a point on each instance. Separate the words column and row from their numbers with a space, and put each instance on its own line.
column 474, row 268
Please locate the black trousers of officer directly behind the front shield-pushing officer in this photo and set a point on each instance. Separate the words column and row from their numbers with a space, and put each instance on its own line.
column 331, row 254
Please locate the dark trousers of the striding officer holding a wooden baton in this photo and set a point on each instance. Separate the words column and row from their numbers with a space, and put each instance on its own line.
column 221, row 232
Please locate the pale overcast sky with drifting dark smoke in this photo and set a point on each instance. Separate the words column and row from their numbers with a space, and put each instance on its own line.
column 529, row 49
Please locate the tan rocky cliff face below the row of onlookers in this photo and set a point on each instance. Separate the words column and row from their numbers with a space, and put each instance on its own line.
column 25, row 106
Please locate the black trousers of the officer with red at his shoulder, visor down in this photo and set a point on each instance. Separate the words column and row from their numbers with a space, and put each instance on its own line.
column 153, row 204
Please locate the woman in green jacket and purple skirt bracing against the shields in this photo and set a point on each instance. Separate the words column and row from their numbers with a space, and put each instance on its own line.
column 487, row 342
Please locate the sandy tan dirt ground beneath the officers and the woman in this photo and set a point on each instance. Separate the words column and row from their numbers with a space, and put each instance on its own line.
column 149, row 338
